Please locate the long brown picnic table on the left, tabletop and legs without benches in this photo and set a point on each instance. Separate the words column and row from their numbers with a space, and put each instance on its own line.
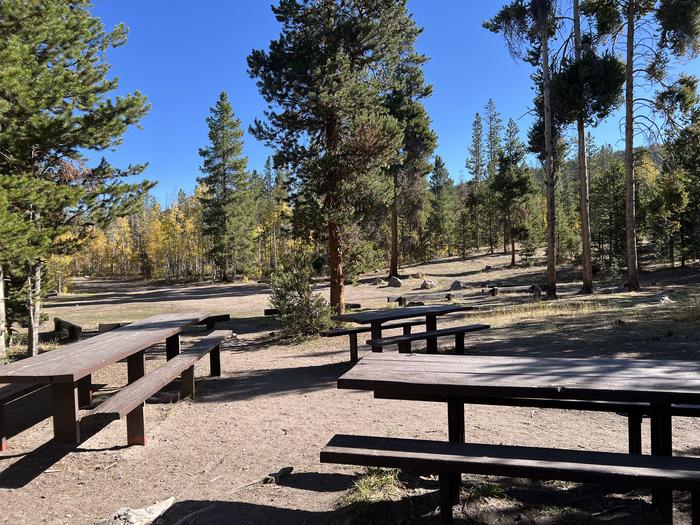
column 69, row 369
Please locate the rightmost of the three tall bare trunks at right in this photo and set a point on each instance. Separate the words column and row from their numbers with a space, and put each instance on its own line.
column 630, row 212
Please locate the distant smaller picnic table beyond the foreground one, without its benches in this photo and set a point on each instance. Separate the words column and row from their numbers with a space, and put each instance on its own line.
column 375, row 318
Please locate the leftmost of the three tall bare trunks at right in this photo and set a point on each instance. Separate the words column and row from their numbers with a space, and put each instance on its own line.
column 549, row 159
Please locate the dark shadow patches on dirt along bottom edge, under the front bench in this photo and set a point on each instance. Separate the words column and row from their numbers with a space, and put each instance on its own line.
column 520, row 502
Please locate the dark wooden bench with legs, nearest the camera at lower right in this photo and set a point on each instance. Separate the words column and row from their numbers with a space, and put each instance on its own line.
column 449, row 458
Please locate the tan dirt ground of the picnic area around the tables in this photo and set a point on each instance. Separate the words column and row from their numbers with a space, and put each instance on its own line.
column 276, row 405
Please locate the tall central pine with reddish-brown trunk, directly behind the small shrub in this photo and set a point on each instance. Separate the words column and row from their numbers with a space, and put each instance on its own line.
column 326, row 116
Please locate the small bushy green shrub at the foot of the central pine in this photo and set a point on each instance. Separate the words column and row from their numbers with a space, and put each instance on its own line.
column 302, row 311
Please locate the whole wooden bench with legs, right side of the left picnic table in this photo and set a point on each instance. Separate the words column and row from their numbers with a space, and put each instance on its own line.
column 129, row 401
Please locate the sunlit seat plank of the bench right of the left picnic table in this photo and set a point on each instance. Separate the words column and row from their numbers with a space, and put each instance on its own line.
column 134, row 394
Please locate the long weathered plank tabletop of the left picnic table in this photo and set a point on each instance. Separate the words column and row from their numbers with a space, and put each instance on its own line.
column 76, row 360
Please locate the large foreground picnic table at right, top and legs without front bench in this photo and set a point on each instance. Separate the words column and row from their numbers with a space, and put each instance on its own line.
column 456, row 380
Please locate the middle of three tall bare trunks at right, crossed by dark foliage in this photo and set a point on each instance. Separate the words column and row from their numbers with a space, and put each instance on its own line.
column 586, row 259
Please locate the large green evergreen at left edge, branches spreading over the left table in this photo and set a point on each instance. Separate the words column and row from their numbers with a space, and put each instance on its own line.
column 58, row 103
